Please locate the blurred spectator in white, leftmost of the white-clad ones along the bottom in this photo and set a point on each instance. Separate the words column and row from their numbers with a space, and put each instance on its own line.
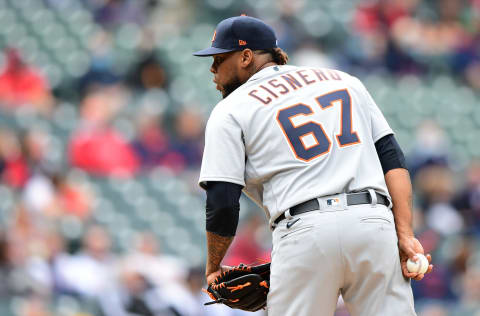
column 90, row 272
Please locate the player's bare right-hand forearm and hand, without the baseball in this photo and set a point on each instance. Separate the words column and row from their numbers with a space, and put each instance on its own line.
column 400, row 188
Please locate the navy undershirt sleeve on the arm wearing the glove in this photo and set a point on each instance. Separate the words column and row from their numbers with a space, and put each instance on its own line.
column 223, row 207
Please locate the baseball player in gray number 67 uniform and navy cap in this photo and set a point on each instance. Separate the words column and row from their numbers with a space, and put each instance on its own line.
column 311, row 147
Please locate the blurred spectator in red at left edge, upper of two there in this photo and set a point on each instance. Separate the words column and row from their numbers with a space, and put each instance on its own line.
column 21, row 84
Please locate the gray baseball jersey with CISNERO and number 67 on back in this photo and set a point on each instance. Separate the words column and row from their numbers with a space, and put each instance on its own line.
column 290, row 134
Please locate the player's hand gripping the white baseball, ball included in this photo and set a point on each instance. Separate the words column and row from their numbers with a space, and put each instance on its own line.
column 411, row 249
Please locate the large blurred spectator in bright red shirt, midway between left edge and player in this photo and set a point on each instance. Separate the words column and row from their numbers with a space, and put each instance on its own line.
column 96, row 147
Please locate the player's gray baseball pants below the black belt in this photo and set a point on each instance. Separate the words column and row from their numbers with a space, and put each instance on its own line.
column 348, row 250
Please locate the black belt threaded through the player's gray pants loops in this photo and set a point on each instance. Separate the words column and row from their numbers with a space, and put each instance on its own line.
column 352, row 199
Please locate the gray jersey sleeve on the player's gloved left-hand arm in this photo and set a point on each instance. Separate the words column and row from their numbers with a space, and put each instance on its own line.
column 224, row 152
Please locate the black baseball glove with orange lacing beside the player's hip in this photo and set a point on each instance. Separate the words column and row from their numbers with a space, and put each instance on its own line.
column 243, row 287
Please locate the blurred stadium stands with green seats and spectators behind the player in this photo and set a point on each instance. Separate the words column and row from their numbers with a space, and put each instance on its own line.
column 102, row 114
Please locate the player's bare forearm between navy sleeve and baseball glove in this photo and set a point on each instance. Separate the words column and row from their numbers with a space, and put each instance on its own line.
column 217, row 246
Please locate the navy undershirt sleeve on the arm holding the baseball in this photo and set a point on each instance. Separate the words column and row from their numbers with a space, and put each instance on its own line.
column 390, row 153
